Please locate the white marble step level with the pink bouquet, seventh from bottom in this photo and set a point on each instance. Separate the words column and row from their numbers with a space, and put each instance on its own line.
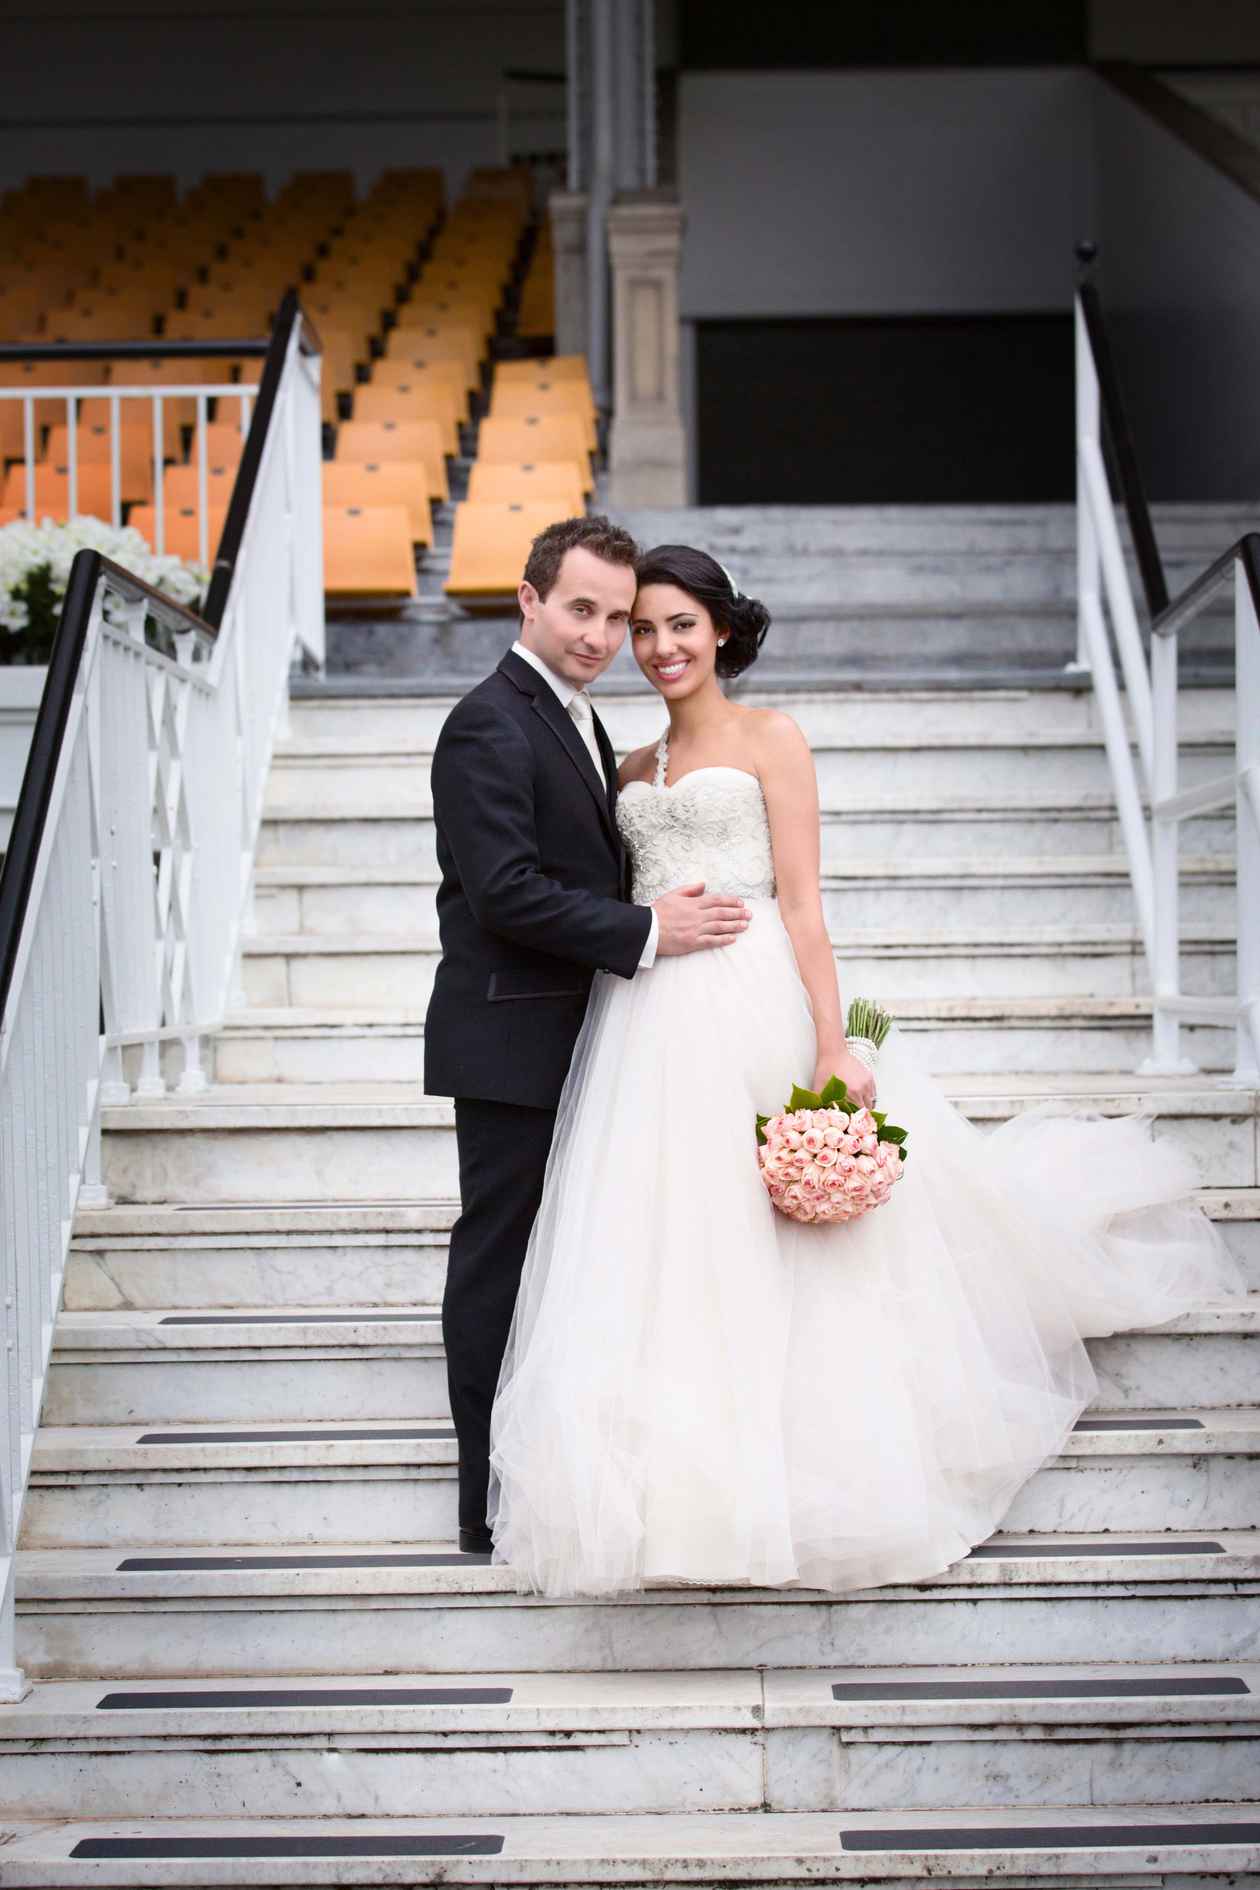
column 322, row 1143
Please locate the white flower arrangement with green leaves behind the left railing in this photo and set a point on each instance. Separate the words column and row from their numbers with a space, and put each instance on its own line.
column 35, row 570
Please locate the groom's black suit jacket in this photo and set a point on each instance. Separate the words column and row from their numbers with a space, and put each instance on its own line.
column 534, row 895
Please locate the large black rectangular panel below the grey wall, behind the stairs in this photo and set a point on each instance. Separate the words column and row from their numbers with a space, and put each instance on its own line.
column 887, row 411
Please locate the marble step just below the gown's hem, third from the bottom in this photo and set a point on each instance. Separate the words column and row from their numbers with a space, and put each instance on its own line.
column 352, row 1607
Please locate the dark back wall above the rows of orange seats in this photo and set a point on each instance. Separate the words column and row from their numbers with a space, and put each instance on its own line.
column 101, row 88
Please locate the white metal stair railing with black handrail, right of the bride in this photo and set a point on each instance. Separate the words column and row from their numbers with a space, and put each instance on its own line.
column 1144, row 747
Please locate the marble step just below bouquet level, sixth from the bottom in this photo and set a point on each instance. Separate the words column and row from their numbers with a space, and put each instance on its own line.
column 341, row 1256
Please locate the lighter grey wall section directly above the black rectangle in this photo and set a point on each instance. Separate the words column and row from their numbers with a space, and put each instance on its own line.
column 823, row 194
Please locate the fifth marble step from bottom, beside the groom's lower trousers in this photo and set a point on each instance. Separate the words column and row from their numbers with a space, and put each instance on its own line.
column 373, row 1362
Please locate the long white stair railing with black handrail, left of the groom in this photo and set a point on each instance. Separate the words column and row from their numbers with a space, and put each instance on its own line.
column 129, row 878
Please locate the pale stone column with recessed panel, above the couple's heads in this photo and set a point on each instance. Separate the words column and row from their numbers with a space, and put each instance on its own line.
column 647, row 447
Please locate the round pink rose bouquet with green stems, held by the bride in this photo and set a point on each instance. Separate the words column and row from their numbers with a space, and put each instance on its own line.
column 826, row 1160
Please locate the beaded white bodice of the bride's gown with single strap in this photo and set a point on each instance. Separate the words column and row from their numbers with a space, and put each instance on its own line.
column 709, row 827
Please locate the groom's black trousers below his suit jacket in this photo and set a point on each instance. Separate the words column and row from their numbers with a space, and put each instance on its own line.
column 503, row 1152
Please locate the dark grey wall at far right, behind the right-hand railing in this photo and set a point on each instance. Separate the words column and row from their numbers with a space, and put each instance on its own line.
column 1180, row 275
